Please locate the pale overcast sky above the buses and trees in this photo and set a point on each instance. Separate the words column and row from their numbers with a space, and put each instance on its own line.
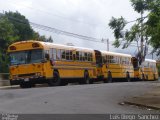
column 84, row 17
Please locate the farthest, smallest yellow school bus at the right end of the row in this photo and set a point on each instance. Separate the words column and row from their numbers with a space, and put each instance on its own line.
column 146, row 71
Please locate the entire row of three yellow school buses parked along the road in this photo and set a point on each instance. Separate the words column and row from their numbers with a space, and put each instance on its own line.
column 35, row 62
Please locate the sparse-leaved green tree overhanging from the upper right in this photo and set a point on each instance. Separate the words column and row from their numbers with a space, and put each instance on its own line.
column 143, row 32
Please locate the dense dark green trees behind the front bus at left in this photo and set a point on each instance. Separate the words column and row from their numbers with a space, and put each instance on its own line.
column 15, row 27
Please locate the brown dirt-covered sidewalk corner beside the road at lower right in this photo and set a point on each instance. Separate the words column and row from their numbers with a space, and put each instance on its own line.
column 150, row 99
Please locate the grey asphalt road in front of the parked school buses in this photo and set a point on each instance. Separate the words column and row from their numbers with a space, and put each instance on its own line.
column 75, row 99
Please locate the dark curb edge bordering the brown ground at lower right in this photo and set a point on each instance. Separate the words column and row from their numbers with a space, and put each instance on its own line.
column 141, row 105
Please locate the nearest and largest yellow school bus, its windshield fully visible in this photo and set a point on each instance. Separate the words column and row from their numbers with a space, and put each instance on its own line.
column 35, row 62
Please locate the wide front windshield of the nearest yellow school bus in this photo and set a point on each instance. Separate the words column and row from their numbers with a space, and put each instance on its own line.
column 26, row 57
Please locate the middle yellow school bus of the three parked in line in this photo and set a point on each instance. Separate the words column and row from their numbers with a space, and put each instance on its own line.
column 116, row 66
